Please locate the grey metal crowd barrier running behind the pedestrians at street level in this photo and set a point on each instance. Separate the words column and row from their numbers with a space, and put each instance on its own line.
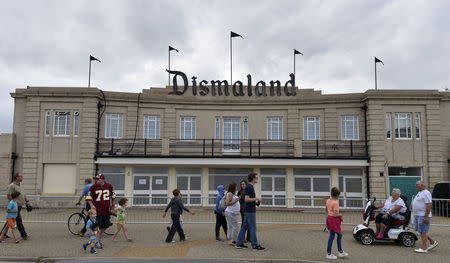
column 57, row 209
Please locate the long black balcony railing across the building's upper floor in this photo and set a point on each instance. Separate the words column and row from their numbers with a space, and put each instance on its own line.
column 252, row 148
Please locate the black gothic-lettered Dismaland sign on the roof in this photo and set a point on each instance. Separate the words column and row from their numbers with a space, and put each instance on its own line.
column 222, row 88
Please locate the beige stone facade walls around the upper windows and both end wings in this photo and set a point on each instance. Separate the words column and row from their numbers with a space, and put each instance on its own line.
column 35, row 149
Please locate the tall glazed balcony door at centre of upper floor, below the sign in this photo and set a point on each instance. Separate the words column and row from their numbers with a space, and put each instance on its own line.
column 231, row 135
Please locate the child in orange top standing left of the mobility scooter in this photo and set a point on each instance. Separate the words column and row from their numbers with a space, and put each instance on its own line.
column 334, row 219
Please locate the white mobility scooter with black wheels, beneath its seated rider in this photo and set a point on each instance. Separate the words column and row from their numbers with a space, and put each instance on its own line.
column 395, row 230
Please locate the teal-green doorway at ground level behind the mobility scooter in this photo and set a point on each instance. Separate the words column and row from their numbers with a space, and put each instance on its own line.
column 405, row 179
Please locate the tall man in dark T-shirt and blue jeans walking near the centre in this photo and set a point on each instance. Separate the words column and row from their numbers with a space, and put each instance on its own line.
column 250, row 215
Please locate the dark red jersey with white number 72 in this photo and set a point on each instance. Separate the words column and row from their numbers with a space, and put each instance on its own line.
column 102, row 198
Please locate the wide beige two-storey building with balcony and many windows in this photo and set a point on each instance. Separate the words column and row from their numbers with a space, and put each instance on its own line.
column 301, row 142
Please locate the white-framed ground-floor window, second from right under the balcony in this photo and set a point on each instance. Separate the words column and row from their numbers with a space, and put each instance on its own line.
column 312, row 186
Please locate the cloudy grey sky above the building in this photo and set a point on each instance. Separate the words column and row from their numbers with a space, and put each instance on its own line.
column 47, row 43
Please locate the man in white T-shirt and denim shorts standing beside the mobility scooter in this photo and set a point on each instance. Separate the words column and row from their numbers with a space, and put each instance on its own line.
column 421, row 210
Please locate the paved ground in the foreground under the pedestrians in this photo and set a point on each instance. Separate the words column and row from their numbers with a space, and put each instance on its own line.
column 291, row 242
